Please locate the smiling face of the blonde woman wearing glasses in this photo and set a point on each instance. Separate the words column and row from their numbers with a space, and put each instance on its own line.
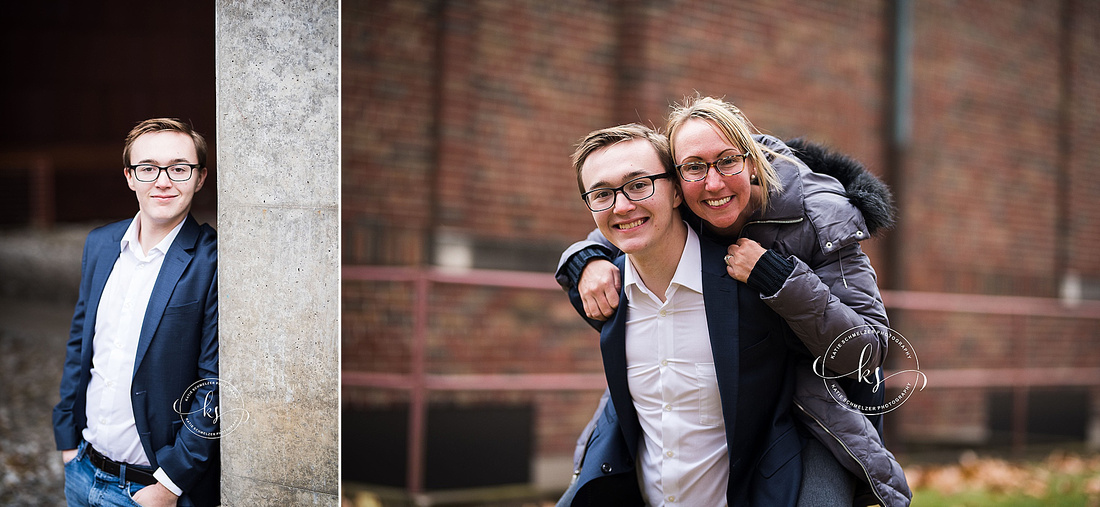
column 724, row 203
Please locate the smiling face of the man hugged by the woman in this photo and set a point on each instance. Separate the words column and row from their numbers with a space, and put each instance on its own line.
column 637, row 228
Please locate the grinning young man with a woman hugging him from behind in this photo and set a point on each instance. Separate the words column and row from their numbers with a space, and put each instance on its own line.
column 697, row 366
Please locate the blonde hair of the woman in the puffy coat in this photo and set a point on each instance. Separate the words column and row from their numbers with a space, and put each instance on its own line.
column 738, row 129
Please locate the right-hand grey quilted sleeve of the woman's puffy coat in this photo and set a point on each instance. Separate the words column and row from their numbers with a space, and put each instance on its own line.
column 837, row 297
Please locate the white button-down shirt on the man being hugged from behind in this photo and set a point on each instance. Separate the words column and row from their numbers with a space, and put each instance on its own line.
column 670, row 371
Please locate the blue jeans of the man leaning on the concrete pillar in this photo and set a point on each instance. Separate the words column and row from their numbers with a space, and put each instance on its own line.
column 86, row 486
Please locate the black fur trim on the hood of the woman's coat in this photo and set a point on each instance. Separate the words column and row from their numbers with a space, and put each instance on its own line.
column 864, row 190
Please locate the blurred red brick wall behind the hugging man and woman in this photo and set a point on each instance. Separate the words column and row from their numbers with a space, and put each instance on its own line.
column 460, row 118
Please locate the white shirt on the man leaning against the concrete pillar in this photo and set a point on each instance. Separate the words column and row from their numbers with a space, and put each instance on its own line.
column 112, row 428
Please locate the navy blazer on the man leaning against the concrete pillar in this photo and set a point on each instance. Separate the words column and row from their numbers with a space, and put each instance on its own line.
column 178, row 347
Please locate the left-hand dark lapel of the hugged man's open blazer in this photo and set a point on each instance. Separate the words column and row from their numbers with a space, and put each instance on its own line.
column 613, row 349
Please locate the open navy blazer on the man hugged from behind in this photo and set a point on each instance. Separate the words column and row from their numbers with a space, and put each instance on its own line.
column 751, row 345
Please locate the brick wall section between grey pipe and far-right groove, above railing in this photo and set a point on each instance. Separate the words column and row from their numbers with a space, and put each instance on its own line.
column 986, row 104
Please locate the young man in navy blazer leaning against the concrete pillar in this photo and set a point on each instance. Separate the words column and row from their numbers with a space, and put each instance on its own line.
column 133, row 423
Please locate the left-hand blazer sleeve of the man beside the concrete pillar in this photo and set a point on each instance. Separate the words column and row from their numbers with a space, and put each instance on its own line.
column 67, row 432
